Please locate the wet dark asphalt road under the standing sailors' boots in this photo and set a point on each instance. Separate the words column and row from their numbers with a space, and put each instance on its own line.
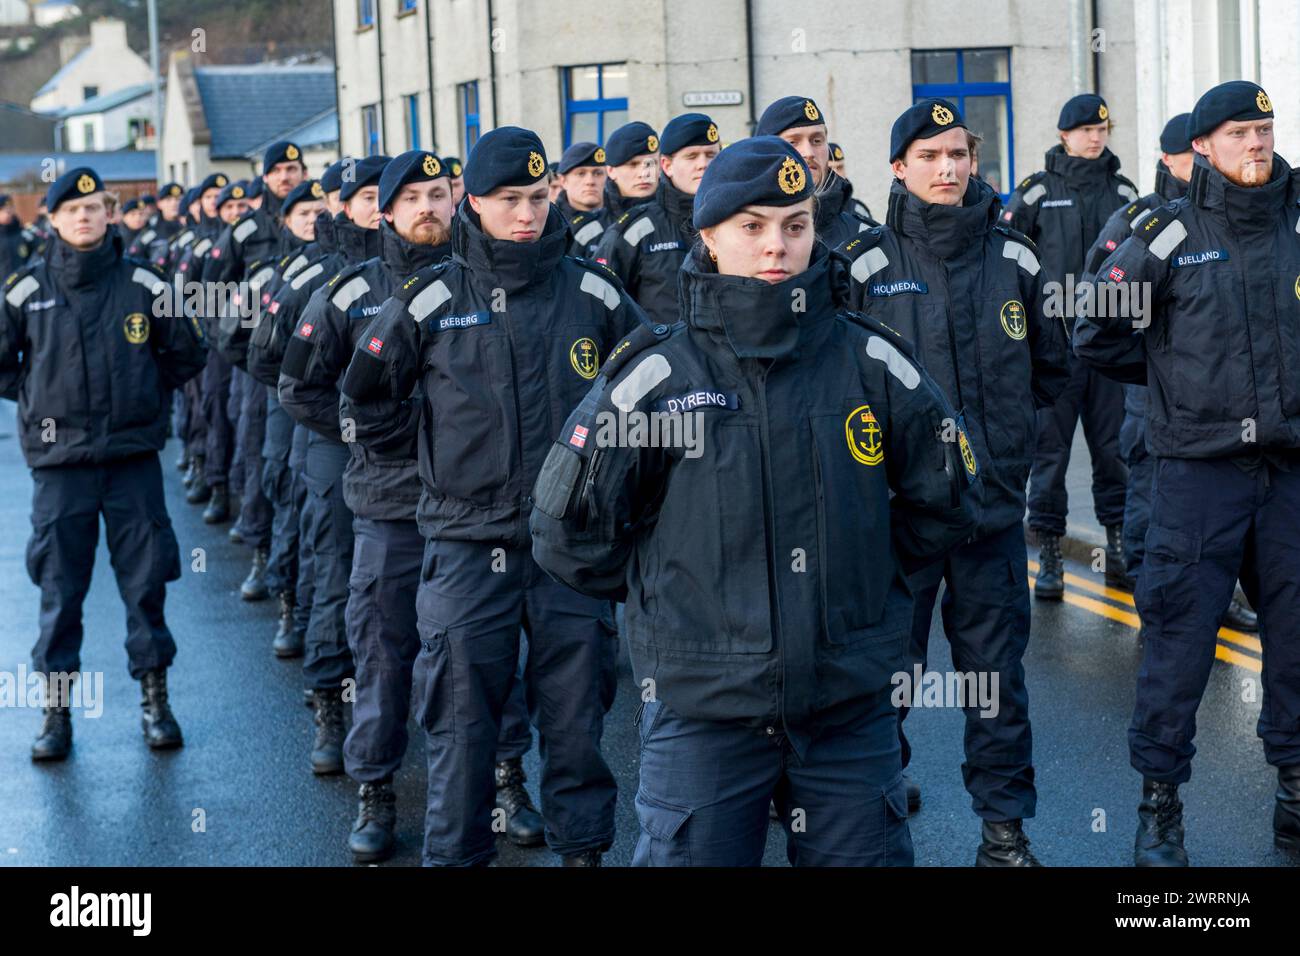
column 244, row 772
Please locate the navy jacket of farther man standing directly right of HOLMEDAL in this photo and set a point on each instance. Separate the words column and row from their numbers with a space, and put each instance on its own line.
column 1064, row 207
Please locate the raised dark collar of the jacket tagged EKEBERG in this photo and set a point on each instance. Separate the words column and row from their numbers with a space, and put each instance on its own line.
column 502, row 263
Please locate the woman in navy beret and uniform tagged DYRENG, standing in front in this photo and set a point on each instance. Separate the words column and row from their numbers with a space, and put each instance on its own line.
column 755, row 485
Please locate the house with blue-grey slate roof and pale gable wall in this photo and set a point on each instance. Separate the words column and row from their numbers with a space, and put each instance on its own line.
column 220, row 119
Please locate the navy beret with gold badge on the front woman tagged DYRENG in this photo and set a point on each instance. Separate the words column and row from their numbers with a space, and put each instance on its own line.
column 760, row 171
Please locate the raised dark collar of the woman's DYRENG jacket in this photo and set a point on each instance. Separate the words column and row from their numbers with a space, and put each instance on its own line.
column 755, row 319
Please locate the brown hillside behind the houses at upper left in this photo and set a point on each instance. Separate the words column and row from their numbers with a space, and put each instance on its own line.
column 235, row 32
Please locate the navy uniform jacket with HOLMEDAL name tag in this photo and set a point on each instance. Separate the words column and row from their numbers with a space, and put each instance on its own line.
column 968, row 293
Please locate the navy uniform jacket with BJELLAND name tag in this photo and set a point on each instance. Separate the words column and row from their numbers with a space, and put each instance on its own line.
column 1221, row 354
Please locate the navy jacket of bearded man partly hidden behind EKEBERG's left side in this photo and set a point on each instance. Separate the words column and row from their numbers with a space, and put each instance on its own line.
column 317, row 358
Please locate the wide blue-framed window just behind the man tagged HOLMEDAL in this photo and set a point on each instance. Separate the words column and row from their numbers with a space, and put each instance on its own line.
column 980, row 83
